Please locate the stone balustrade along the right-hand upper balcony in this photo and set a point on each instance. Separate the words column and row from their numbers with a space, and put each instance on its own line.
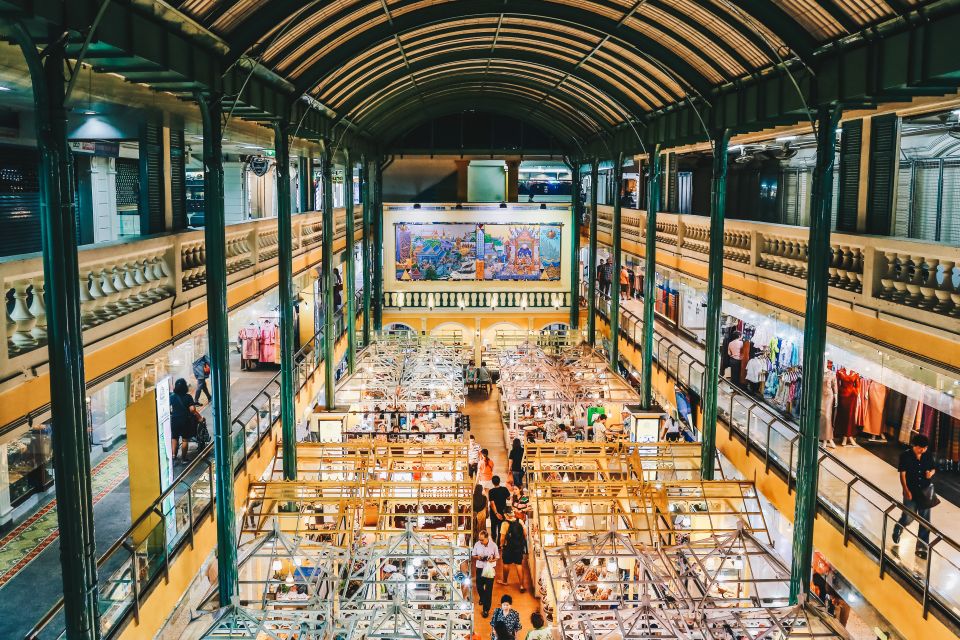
column 908, row 278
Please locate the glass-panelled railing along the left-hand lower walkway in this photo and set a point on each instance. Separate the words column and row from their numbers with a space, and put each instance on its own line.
column 133, row 564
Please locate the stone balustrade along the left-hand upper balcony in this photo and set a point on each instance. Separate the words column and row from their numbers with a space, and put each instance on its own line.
column 125, row 282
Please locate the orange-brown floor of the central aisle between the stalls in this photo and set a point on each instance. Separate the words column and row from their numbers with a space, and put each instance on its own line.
column 486, row 426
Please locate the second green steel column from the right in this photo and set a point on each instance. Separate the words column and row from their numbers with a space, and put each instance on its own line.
column 718, row 204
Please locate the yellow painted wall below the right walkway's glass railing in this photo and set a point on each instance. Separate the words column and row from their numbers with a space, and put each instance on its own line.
column 894, row 602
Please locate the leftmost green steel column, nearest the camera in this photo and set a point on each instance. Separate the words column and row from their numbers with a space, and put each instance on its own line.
column 70, row 439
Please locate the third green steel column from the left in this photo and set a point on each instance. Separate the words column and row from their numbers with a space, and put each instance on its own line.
column 288, row 391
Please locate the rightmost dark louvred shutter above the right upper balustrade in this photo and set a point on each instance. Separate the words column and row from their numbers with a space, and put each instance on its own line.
column 884, row 142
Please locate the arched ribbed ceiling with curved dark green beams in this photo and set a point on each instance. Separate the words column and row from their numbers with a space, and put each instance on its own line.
column 578, row 68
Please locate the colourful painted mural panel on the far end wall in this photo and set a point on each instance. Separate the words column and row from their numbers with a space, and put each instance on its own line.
column 477, row 251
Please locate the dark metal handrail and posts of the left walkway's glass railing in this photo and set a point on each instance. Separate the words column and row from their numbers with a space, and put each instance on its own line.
column 202, row 457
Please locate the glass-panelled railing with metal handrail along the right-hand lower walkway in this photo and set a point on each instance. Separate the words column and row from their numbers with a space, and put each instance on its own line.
column 861, row 510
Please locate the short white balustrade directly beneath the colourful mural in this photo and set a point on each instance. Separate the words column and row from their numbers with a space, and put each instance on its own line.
column 509, row 300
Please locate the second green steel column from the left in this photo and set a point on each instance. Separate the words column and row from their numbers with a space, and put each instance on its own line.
column 214, row 233
